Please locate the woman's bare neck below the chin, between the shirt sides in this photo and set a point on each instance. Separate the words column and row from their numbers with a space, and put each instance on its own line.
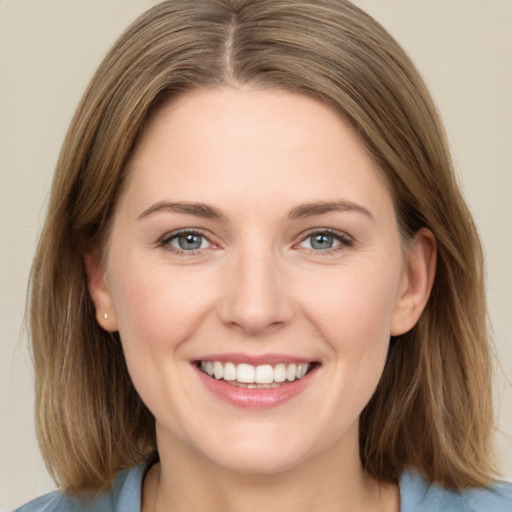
column 185, row 481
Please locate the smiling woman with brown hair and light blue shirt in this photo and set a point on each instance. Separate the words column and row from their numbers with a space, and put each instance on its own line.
column 258, row 284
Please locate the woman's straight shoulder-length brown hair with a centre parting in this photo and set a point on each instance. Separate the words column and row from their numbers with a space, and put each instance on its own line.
column 432, row 410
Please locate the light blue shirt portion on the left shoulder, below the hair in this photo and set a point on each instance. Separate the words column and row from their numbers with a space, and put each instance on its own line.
column 124, row 496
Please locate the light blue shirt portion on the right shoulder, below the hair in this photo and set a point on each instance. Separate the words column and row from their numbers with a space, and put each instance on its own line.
column 417, row 494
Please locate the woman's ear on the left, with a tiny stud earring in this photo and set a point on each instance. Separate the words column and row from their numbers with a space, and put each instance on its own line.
column 99, row 292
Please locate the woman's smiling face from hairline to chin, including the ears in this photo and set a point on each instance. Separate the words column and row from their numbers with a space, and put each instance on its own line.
column 255, row 239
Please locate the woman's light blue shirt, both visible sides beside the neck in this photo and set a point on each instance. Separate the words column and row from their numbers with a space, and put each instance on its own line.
column 415, row 494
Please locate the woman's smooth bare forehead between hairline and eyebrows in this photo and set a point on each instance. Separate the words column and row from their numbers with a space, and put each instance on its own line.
column 217, row 145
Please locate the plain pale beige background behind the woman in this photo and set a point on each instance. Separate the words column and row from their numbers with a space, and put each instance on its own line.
column 50, row 48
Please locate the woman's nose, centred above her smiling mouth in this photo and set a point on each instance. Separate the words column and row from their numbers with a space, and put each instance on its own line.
column 256, row 298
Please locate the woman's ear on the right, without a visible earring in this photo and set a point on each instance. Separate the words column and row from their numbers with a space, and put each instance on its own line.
column 416, row 283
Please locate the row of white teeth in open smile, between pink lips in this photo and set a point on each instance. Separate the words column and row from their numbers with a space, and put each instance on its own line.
column 255, row 377
